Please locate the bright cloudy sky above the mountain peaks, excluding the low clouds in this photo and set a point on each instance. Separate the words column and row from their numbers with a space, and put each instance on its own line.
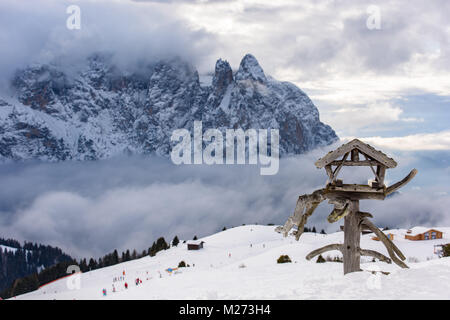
column 384, row 80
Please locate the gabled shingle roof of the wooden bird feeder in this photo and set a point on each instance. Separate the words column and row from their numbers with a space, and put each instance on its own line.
column 361, row 146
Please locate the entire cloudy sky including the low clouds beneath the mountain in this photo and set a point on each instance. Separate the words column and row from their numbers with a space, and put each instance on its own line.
column 388, row 83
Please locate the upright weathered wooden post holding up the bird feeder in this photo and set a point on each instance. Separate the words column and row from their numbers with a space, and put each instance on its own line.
column 352, row 236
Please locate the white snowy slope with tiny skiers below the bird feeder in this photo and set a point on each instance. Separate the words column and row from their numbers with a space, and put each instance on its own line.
column 218, row 271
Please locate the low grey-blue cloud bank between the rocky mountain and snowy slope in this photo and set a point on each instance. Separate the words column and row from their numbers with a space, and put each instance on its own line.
column 90, row 208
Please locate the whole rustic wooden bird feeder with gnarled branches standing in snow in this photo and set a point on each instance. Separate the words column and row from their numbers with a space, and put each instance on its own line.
column 345, row 198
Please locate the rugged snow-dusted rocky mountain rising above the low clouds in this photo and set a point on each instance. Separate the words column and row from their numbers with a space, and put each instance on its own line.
column 99, row 111
